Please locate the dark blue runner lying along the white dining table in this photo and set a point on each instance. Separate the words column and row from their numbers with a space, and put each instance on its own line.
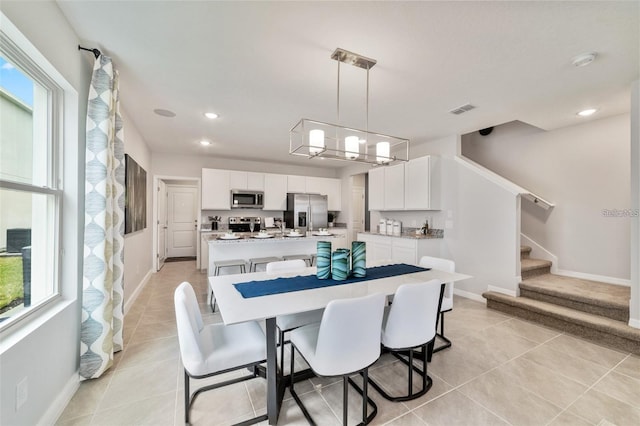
column 306, row 282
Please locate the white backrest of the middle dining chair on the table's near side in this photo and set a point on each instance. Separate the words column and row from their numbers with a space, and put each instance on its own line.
column 349, row 335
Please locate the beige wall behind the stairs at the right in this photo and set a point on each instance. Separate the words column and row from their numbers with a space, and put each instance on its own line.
column 583, row 169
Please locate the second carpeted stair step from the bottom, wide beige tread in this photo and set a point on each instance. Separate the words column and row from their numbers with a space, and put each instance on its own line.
column 608, row 300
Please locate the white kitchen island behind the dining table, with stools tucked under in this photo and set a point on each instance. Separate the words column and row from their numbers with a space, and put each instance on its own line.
column 250, row 246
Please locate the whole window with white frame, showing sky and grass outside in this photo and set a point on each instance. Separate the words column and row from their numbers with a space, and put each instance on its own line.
column 30, row 185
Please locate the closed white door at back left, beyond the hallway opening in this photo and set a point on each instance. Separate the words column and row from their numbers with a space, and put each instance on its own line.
column 182, row 218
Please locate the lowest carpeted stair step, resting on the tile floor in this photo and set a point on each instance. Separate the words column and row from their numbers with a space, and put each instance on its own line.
column 599, row 329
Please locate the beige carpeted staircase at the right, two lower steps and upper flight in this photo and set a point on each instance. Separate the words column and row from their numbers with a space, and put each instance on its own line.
column 589, row 309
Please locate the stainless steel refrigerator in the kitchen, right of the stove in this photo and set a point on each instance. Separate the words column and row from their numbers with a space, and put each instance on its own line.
column 307, row 212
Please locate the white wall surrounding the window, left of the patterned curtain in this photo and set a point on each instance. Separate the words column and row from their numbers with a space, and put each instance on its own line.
column 46, row 350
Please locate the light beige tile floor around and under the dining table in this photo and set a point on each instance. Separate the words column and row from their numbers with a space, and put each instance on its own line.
column 499, row 371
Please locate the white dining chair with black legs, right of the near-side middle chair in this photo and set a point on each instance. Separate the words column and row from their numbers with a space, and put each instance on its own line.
column 410, row 323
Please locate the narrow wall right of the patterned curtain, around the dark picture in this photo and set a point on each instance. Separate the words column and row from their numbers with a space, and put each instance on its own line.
column 138, row 248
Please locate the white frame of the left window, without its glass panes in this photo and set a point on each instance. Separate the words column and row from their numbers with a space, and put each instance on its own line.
column 55, row 126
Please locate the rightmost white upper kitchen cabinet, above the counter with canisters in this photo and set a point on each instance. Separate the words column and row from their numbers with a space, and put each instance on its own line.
column 422, row 184
